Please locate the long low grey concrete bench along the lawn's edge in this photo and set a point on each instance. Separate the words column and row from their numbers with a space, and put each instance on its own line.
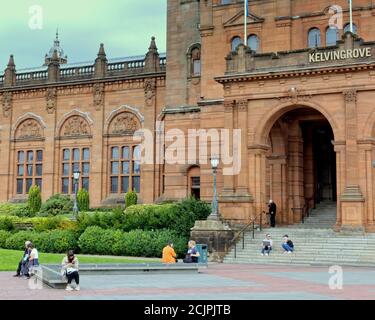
column 51, row 276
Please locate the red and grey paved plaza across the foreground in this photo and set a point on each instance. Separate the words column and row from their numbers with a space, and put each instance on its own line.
column 218, row 282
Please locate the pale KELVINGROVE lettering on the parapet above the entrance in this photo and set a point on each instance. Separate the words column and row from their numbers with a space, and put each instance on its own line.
column 340, row 55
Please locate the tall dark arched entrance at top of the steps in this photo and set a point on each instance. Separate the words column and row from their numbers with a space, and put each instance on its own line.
column 301, row 163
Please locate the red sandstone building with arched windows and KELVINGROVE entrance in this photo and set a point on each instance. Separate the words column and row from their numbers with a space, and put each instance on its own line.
column 302, row 93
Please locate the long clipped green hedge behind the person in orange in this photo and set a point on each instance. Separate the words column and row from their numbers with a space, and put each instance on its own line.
column 137, row 243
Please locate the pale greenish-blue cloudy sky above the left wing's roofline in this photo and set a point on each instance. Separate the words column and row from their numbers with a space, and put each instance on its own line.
column 28, row 28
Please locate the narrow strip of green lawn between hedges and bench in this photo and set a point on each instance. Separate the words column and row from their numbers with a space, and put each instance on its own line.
column 9, row 259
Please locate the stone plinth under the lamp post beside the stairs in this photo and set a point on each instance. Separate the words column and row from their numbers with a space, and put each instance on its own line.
column 216, row 235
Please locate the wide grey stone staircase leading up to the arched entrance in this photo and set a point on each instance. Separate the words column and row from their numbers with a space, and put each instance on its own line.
column 315, row 244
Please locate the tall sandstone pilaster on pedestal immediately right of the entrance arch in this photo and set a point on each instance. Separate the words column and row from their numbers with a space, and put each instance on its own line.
column 352, row 200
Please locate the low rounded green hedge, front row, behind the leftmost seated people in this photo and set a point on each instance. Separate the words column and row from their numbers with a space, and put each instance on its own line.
column 56, row 241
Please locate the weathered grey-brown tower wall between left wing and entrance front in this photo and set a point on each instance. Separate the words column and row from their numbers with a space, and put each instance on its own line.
column 183, row 22
